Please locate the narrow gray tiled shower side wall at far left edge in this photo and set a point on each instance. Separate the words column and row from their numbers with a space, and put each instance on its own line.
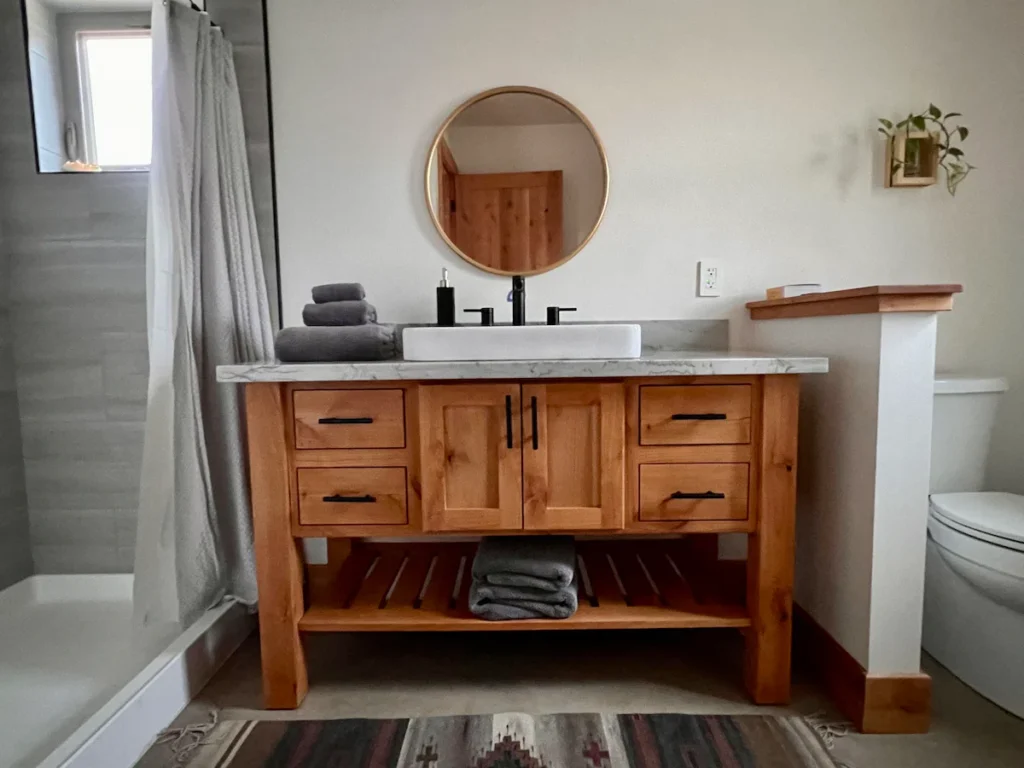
column 16, row 549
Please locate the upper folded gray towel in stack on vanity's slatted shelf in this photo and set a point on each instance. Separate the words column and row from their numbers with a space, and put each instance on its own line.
column 543, row 563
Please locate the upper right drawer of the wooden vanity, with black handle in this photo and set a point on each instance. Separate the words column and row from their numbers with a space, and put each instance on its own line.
column 702, row 415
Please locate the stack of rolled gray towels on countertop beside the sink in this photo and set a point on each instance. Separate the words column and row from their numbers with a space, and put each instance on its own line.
column 342, row 325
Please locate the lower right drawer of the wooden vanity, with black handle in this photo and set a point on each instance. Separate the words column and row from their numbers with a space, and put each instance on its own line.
column 694, row 492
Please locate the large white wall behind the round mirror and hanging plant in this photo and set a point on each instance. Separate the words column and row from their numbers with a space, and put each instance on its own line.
column 743, row 132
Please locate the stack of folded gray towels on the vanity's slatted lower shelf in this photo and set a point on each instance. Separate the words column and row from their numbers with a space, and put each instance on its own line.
column 525, row 577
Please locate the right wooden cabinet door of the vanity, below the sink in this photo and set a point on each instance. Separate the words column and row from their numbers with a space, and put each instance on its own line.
column 574, row 457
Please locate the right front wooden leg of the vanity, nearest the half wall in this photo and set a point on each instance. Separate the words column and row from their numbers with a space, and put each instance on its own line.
column 771, row 551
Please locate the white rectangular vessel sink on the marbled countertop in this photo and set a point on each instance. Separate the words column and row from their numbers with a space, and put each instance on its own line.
column 574, row 343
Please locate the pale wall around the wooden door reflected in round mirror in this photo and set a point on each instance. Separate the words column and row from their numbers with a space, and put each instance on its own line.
column 516, row 149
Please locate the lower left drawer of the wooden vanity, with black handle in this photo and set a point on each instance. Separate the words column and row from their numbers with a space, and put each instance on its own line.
column 364, row 496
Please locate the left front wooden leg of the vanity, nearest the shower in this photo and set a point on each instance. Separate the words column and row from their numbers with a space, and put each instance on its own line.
column 279, row 556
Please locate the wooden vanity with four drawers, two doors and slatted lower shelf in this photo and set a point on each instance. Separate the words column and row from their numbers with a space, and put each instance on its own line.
column 639, row 470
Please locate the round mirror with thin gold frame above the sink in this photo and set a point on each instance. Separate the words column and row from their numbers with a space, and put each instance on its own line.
column 518, row 181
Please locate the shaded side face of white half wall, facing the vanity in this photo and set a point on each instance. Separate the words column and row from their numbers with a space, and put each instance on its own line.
column 836, row 471
